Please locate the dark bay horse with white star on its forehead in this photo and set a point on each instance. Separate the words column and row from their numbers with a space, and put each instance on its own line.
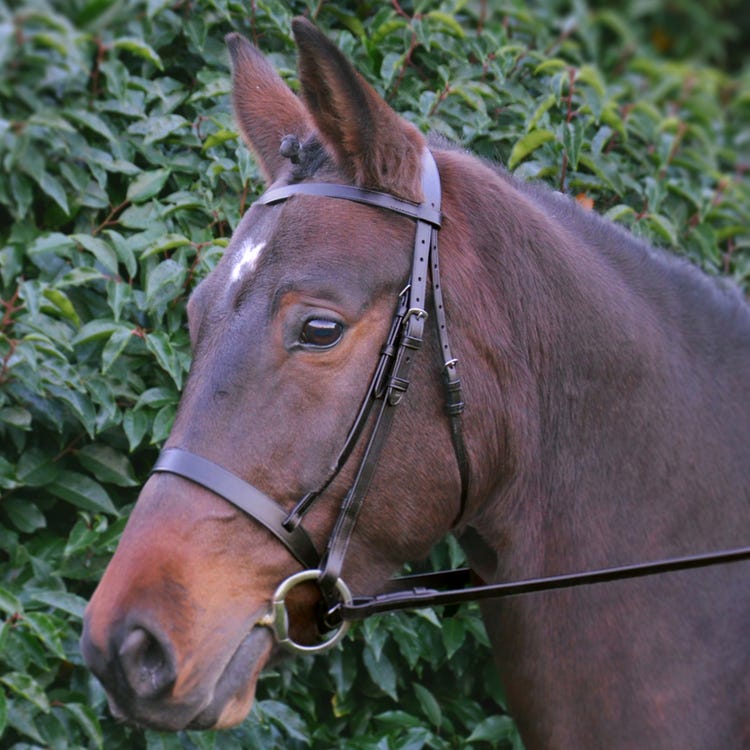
column 603, row 419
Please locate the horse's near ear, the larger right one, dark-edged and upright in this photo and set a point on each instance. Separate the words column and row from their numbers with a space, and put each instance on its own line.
column 372, row 145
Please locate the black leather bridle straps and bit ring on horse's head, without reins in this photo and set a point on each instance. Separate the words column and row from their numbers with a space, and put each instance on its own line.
column 384, row 394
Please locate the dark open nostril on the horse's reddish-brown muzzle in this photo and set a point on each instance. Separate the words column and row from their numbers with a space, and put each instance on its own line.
column 147, row 664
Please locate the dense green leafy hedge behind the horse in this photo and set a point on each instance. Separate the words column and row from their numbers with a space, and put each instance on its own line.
column 122, row 179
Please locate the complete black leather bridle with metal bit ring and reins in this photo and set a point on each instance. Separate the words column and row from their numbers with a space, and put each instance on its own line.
column 384, row 393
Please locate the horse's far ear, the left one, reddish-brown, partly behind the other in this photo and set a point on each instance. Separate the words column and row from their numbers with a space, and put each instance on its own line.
column 265, row 108
